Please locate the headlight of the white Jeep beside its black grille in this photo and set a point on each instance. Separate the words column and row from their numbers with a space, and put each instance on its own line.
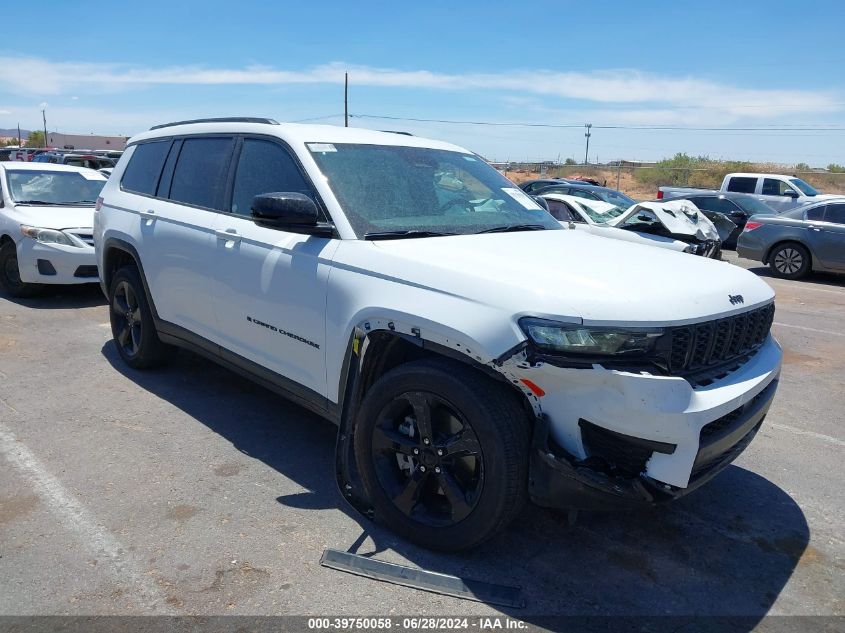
column 581, row 340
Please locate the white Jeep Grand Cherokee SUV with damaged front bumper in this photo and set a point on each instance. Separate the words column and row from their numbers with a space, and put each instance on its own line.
column 474, row 352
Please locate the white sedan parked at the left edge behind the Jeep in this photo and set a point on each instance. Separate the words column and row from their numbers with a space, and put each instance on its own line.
column 46, row 220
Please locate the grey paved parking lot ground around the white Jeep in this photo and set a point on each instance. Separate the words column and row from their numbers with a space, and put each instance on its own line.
column 189, row 490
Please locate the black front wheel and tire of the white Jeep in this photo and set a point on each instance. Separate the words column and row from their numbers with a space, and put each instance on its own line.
column 443, row 453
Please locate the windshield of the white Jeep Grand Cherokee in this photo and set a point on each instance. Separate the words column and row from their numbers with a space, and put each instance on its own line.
column 386, row 189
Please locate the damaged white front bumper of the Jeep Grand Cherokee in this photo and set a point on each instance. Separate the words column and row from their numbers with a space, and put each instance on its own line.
column 608, row 454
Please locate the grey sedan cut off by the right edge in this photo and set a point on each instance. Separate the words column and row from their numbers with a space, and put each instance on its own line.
column 811, row 237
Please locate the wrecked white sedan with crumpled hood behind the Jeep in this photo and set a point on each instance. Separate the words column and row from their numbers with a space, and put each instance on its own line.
column 676, row 225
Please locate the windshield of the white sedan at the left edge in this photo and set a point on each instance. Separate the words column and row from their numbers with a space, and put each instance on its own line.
column 53, row 187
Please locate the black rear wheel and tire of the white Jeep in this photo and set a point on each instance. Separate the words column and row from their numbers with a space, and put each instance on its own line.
column 132, row 324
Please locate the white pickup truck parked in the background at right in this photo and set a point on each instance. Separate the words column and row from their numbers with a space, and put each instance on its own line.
column 778, row 191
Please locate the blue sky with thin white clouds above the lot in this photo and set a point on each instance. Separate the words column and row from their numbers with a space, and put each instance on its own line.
column 118, row 68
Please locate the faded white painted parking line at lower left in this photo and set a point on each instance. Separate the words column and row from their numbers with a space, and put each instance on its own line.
column 73, row 514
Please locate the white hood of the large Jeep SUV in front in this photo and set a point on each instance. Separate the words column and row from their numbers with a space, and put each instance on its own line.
column 562, row 274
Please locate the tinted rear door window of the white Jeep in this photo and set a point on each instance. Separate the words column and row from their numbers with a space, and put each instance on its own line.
column 201, row 171
